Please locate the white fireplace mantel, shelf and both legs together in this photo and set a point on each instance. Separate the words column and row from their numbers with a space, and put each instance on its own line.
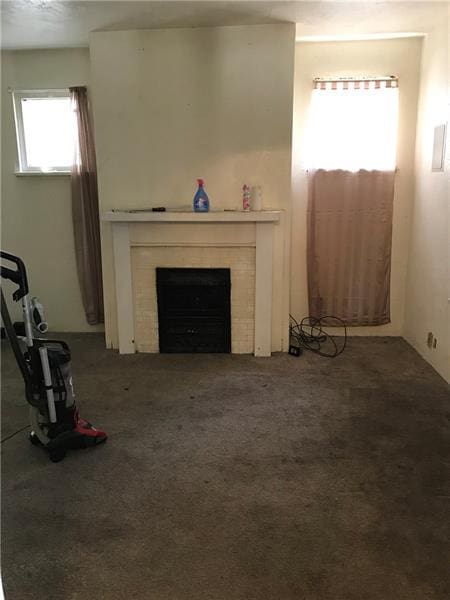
column 264, row 222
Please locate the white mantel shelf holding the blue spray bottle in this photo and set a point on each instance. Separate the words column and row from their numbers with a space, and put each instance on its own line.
column 223, row 216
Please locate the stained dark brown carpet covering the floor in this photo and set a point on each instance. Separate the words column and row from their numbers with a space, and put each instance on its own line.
column 232, row 478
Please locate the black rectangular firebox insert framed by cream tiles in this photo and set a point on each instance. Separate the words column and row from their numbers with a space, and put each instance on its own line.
column 194, row 312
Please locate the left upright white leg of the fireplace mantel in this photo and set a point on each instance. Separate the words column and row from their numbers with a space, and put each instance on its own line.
column 124, row 290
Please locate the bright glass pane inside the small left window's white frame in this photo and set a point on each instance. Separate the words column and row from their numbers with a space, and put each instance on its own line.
column 47, row 124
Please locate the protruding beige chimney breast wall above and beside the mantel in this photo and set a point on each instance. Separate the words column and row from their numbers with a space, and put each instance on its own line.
column 173, row 105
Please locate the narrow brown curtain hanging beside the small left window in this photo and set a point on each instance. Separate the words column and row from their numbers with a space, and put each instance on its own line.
column 85, row 212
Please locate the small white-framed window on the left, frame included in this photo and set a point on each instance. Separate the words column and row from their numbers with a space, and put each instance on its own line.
column 44, row 127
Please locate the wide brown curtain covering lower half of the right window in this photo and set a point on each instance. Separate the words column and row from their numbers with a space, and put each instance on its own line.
column 349, row 233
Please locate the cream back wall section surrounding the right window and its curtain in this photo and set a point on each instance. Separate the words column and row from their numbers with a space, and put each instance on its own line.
column 399, row 57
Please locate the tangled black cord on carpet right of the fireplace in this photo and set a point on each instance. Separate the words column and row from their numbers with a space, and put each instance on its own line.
column 310, row 335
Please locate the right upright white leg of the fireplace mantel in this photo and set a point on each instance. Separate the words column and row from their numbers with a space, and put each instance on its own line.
column 263, row 289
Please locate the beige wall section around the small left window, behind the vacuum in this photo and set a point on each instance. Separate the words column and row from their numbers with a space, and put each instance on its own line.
column 36, row 210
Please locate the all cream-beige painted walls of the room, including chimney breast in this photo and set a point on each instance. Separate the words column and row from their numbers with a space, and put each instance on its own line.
column 215, row 103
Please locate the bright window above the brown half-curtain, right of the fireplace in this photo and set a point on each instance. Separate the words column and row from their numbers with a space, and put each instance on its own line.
column 352, row 124
